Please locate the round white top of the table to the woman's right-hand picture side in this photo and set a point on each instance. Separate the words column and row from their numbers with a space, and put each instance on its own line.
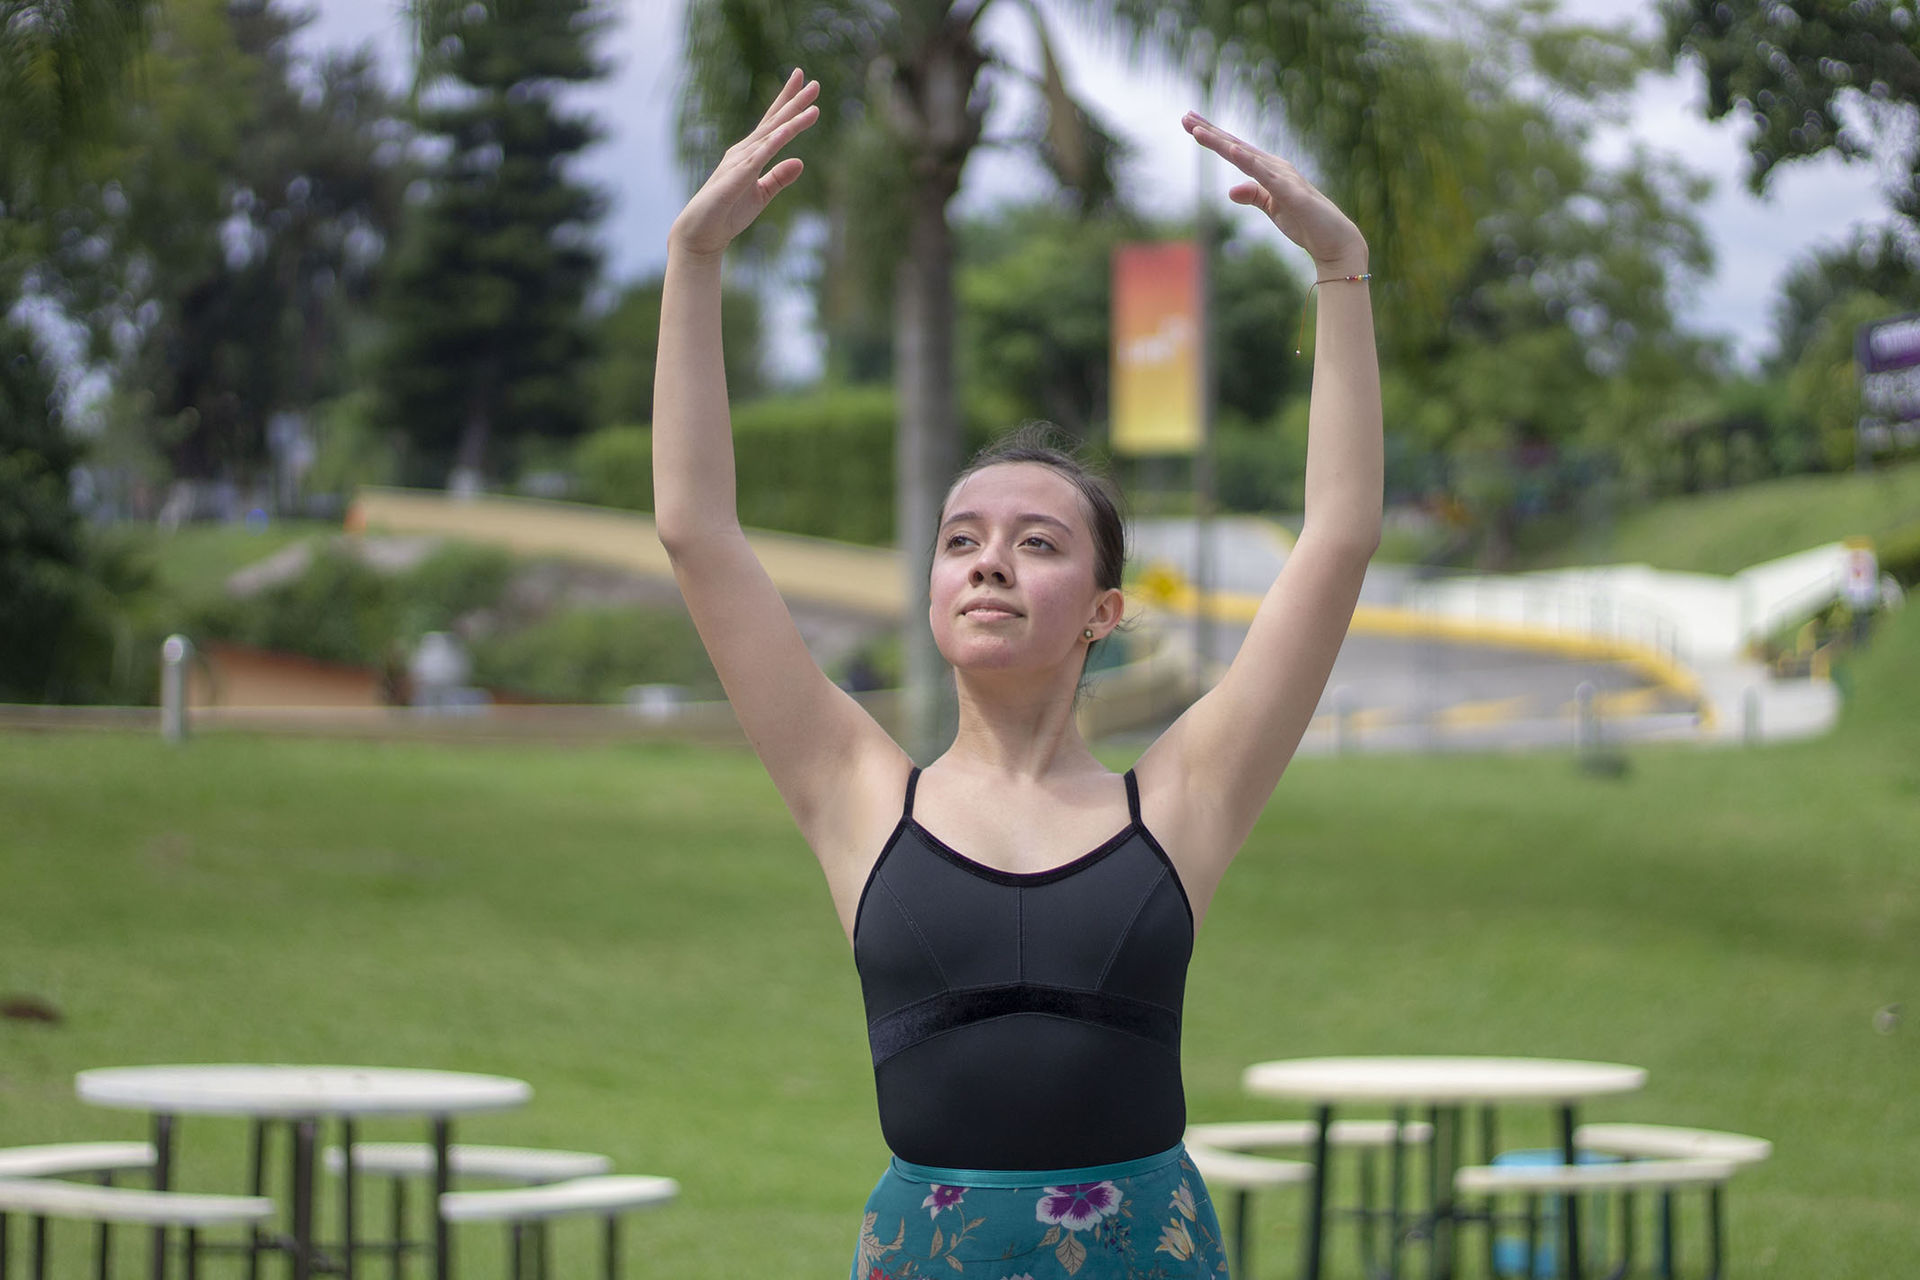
column 1439, row 1079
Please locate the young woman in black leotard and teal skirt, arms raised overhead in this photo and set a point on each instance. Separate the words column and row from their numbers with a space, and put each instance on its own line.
column 1020, row 916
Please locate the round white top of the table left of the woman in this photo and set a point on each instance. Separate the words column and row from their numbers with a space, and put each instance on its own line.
column 291, row 1091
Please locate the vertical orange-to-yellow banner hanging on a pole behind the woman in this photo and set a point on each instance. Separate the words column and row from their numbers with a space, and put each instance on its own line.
column 1159, row 358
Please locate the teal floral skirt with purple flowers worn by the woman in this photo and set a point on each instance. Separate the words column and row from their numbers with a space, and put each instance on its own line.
column 1145, row 1220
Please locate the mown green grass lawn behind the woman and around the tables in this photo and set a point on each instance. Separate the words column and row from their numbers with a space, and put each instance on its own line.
column 642, row 936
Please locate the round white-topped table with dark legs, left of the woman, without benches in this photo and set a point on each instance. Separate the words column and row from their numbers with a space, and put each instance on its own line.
column 304, row 1097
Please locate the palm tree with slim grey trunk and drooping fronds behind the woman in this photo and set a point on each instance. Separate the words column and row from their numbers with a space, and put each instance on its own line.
column 907, row 85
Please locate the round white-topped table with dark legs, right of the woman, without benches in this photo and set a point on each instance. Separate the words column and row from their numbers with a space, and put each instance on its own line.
column 1445, row 1085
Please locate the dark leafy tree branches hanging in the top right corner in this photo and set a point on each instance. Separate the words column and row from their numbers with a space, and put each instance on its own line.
column 1792, row 68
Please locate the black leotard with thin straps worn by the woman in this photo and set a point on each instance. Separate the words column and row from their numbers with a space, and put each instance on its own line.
column 1024, row 1020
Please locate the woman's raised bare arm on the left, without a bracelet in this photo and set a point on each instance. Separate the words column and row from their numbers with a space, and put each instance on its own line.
column 819, row 746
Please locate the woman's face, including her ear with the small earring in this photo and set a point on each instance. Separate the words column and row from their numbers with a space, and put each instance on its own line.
column 1015, row 571
